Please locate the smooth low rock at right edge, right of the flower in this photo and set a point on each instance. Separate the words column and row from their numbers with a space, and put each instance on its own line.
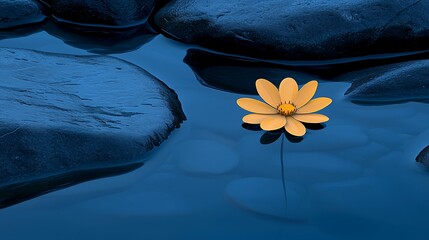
column 400, row 82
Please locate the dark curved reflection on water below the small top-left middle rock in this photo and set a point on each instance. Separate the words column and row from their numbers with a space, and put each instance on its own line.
column 101, row 40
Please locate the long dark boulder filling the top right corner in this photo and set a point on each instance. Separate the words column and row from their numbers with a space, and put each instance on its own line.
column 299, row 29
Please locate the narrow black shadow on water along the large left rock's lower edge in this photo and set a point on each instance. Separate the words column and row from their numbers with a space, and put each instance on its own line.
column 20, row 192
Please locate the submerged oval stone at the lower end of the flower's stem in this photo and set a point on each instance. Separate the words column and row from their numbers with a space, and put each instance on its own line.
column 265, row 196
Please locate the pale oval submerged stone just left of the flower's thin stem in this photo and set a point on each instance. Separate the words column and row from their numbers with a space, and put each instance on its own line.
column 206, row 157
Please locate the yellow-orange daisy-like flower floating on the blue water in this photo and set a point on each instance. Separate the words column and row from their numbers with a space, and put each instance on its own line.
column 286, row 107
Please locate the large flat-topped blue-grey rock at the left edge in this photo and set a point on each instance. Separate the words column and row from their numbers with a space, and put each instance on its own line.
column 64, row 115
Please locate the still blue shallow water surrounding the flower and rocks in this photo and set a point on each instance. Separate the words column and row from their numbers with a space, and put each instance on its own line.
column 212, row 179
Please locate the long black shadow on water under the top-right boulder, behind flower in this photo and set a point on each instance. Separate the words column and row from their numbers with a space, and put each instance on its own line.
column 238, row 74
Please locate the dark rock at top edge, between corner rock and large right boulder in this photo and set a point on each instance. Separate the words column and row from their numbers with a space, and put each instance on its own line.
column 101, row 13
